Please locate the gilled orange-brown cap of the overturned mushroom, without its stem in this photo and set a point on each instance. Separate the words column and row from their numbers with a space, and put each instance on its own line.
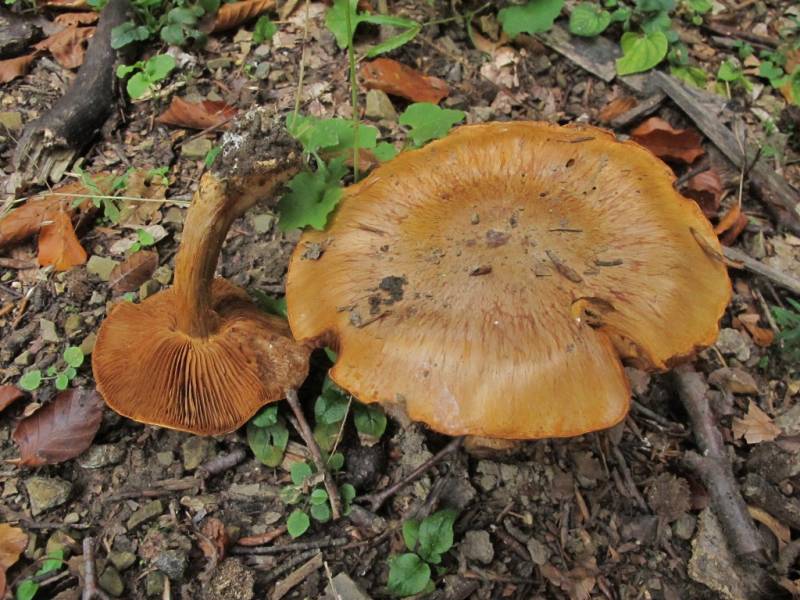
column 149, row 371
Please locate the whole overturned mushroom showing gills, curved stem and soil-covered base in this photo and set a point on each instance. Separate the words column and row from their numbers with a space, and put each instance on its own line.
column 201, row 357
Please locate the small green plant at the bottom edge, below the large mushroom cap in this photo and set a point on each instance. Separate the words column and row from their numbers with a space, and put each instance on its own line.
column 427, row 541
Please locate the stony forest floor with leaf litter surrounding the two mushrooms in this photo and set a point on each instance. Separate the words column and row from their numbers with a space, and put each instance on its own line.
column 613, row 514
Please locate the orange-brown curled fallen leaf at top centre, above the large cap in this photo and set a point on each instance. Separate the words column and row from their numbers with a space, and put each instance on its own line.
column 397, row 79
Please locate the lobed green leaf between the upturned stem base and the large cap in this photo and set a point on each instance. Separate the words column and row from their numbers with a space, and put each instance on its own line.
column 312, row 197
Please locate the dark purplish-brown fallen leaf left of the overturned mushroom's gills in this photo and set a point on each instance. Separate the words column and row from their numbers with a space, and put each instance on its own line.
column 61, row 430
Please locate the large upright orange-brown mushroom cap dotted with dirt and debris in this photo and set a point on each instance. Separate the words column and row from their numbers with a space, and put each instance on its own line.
column 492, row 282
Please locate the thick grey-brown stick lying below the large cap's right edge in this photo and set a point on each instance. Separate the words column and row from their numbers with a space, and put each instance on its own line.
column 713, row 467
